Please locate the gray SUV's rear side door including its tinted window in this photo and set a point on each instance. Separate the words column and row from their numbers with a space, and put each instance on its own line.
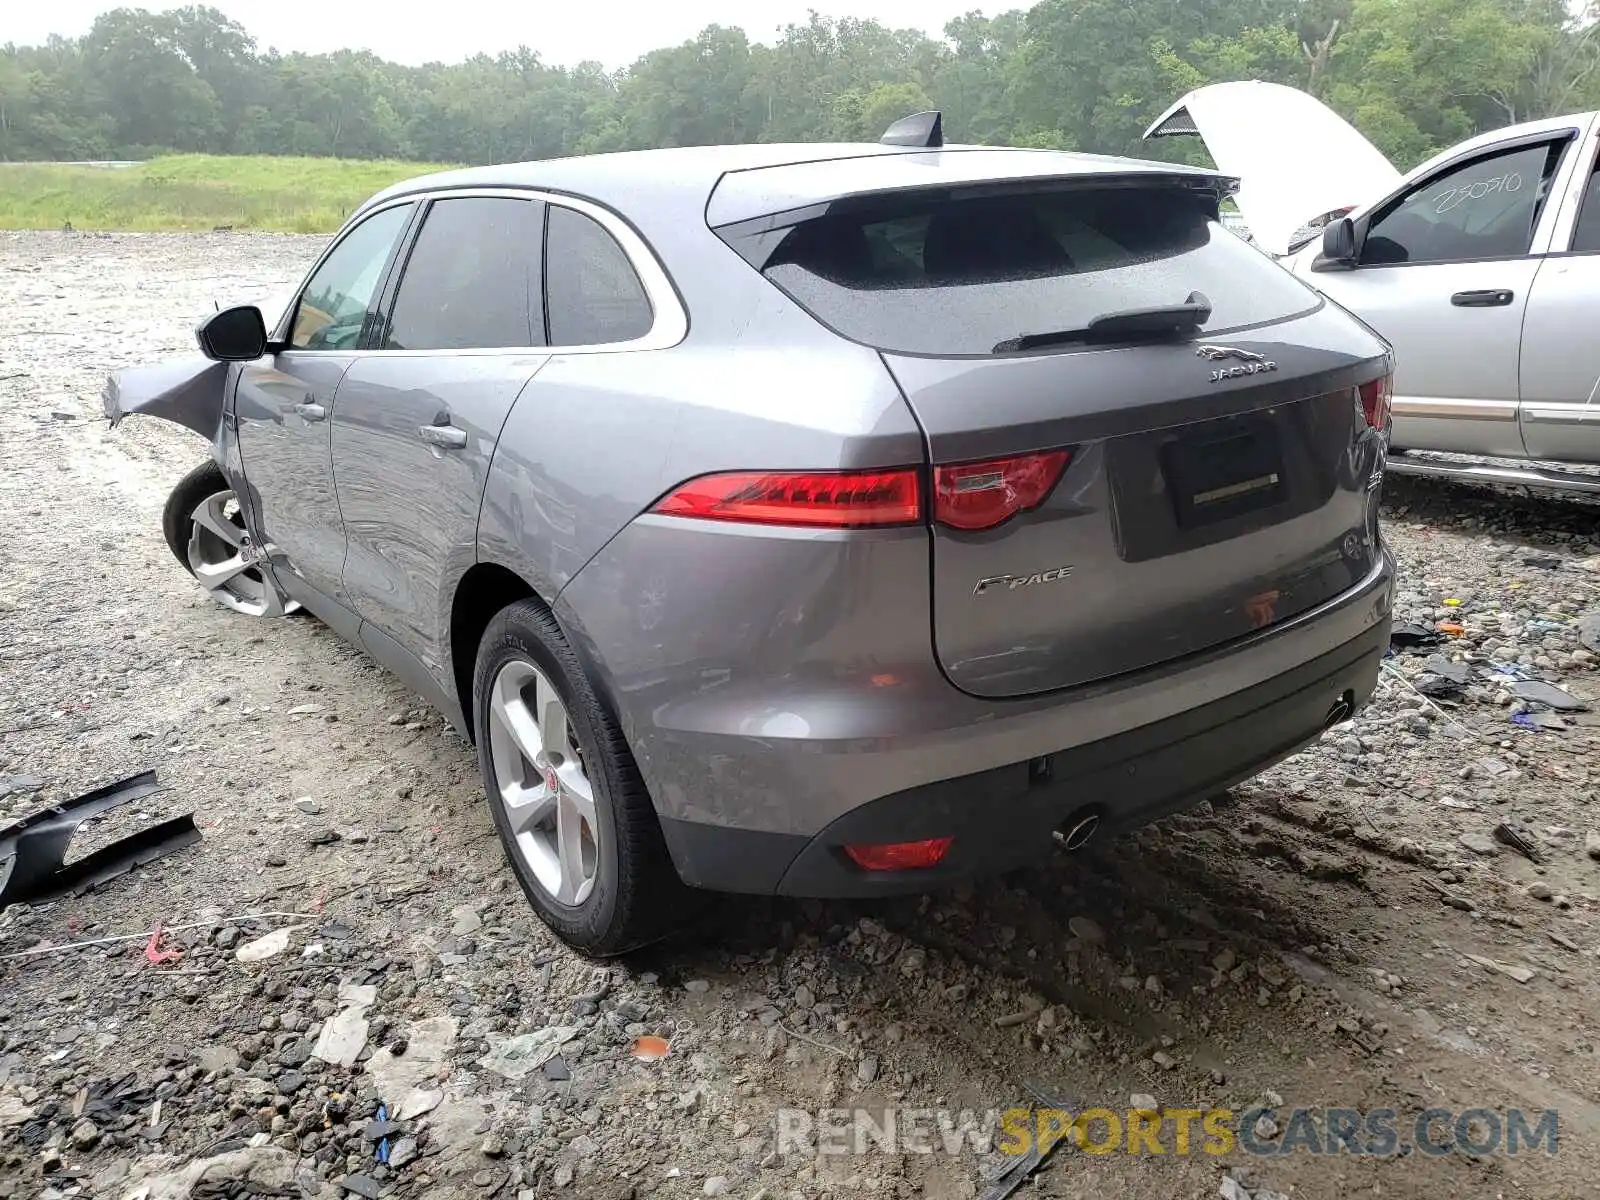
column 418, row 415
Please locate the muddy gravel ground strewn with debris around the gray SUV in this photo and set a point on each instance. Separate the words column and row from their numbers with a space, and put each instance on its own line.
column 1348, row 930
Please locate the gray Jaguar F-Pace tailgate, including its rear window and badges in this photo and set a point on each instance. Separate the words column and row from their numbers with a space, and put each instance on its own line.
column 1103, row 505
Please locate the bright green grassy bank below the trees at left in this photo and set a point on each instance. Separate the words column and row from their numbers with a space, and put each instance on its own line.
column 196, row 191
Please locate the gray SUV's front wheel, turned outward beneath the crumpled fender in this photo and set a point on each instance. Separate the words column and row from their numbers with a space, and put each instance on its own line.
column 206, row 530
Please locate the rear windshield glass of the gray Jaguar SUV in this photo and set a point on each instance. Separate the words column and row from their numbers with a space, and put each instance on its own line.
column 946, row 276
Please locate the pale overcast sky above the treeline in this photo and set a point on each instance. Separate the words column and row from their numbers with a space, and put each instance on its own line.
column 614, row 33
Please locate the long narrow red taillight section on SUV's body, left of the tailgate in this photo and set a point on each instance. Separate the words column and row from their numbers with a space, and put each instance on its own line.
column 814, row 498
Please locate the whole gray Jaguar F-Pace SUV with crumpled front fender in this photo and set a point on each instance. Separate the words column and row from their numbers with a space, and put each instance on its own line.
column 818, row 521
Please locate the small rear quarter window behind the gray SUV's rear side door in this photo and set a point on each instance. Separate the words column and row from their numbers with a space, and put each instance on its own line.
column 593, row 292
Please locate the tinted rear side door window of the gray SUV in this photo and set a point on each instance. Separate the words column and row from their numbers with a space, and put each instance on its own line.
column 473, row 279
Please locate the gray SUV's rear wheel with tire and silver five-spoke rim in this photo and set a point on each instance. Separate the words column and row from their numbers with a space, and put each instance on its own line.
column 572, row 812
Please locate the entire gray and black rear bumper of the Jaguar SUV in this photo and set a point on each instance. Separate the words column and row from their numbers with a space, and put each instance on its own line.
column 770, row 721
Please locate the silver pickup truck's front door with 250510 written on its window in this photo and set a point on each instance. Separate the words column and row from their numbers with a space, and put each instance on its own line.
column 1446, row 274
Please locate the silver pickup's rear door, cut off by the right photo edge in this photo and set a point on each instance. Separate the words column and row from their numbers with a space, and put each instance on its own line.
column 1561, row 354
